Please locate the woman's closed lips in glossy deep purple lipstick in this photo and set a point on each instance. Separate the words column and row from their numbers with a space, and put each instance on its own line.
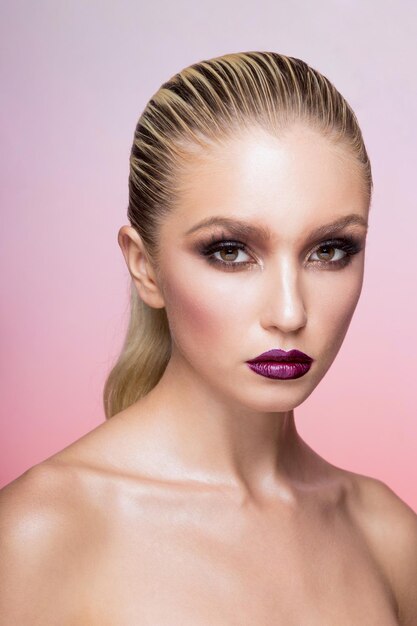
column 280, row 364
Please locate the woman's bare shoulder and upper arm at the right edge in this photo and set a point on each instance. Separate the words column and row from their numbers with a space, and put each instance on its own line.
column 390, row 527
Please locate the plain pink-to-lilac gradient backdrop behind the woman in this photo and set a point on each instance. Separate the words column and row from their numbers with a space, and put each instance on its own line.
column 75, row 77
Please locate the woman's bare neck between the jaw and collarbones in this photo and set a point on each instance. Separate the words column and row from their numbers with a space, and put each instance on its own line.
column 201, row 436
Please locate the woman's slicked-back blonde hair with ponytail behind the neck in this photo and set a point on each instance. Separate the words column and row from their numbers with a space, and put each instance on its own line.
column 204, row 104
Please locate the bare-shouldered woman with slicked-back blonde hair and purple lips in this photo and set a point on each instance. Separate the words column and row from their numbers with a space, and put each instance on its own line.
column 198, row 502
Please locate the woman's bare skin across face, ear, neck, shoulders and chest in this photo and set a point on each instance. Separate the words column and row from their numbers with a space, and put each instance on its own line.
column 200, row 503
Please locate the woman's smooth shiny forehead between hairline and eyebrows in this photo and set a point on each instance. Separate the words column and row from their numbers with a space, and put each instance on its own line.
column 286, row 184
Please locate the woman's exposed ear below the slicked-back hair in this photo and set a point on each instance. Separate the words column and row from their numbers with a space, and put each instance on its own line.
column 140, row 267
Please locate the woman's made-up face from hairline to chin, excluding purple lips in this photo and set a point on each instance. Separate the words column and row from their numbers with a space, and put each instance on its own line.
column 279, row 287
